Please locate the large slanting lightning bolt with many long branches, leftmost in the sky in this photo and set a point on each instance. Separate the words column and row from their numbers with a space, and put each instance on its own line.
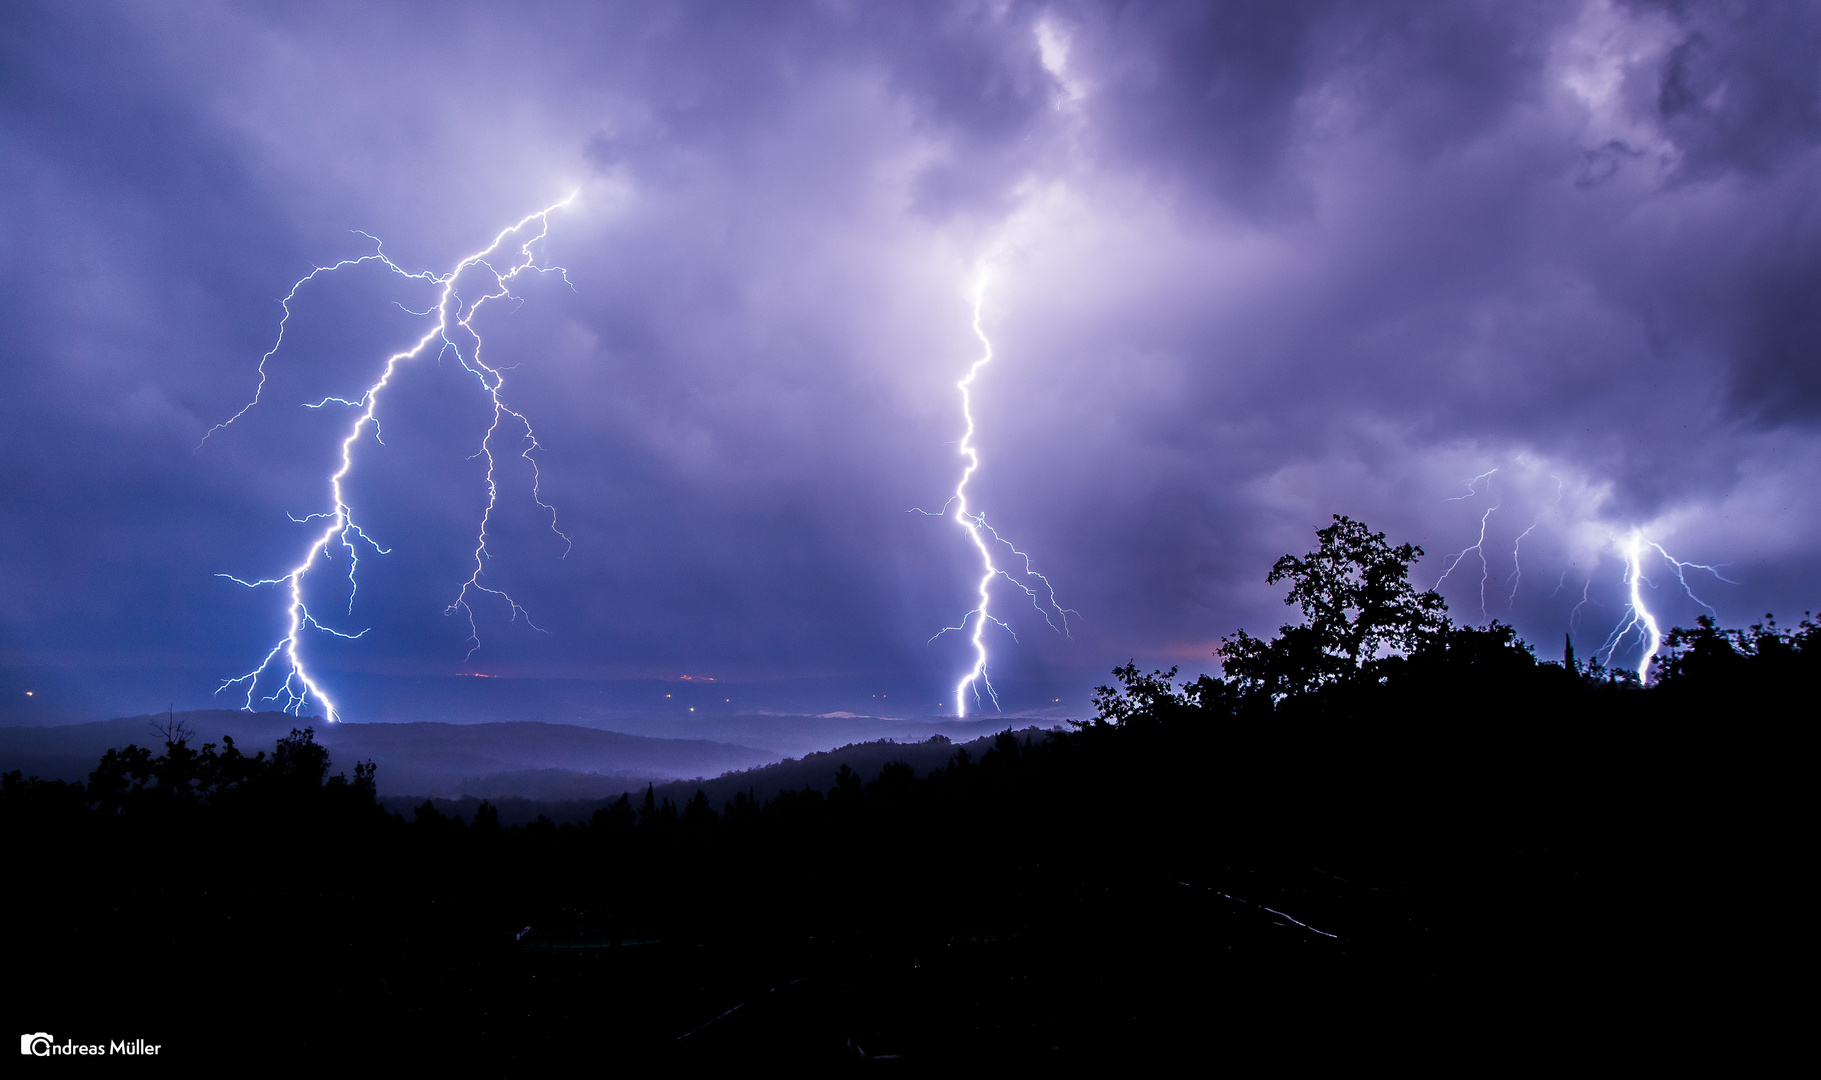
column 498, row 265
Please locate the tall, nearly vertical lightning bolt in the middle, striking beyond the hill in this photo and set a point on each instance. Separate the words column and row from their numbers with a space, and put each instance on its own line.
column 984, row 540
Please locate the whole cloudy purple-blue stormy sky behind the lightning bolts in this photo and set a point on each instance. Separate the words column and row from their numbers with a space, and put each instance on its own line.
column 1250, row 265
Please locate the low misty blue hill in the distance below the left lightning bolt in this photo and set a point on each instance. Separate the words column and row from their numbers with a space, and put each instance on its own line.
column 412, row 759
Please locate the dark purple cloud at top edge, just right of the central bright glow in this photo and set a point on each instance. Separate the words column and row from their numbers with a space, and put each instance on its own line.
column 1216, row 94
